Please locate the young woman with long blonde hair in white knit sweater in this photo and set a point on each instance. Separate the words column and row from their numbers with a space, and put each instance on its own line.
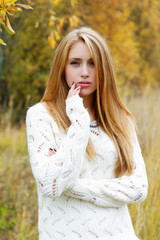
column 83, row 148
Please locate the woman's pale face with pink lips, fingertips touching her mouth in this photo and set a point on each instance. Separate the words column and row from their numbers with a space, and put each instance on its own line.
column 80, row 69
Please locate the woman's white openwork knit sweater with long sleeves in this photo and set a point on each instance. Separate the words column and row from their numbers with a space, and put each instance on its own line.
column 80, row 198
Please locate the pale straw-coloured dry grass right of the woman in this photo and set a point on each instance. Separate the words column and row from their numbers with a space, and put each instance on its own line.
column 146, row 215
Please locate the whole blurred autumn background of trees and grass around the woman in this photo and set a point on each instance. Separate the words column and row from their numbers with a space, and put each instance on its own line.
column 132, row 30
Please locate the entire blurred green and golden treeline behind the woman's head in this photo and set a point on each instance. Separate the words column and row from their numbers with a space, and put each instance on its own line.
column 131, row 30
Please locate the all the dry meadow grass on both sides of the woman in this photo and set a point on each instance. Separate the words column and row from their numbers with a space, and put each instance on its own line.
column 18, row 202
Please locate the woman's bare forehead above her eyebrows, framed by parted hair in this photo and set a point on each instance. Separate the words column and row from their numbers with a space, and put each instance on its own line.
column 79, row 50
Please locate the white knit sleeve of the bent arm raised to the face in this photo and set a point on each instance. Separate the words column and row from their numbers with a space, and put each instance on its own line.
column 56, row 172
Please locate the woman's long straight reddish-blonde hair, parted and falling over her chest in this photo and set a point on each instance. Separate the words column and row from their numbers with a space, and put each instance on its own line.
column 111, row 113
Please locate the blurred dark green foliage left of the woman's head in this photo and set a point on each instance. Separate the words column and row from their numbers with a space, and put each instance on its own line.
column 28, row 54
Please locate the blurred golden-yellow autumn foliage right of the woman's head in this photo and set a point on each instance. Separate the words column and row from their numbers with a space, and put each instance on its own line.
column 132, row 32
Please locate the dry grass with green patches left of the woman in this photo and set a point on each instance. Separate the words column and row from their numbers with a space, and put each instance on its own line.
column 18, row 202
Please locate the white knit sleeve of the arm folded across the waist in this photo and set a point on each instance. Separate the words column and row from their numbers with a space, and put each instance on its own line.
column 116, row 191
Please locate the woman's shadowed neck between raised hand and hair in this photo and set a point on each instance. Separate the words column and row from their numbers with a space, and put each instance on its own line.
column 88, row 103
